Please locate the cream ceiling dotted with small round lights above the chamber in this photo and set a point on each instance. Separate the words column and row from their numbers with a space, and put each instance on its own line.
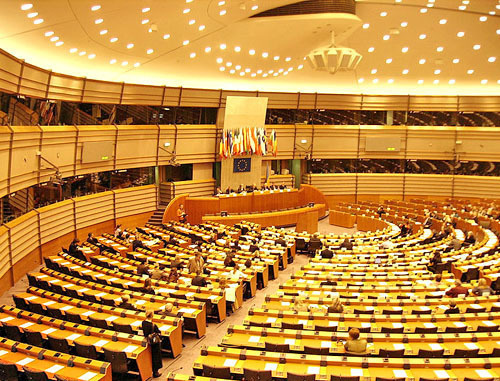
column 408, row 46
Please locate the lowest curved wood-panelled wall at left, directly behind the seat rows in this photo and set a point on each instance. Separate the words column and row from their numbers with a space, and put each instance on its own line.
column 27, row 239
